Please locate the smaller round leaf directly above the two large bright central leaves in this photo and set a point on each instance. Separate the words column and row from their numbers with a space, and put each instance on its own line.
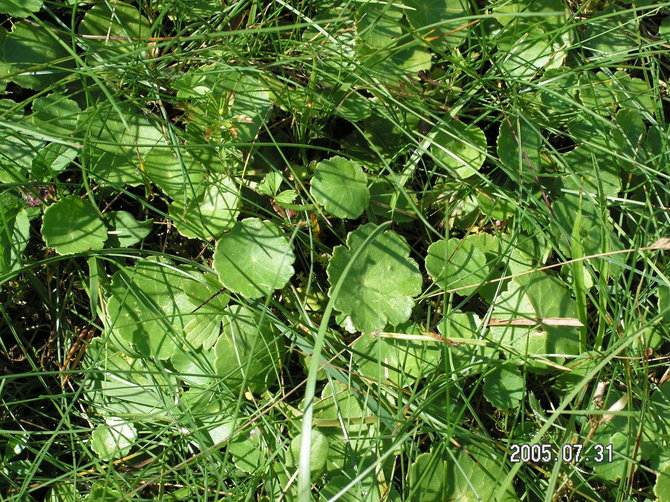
column 340, row 185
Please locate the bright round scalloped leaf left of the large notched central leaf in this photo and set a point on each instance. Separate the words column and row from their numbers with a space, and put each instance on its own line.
column 254, row 259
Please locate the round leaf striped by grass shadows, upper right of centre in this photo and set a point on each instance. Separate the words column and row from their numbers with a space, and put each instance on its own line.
column 460, row 147
